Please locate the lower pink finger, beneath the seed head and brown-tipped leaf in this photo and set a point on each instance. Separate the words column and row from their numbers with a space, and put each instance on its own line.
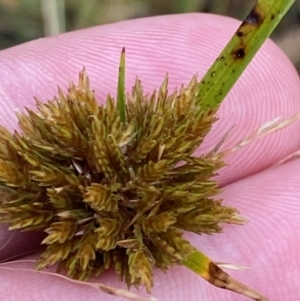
column 268, row 245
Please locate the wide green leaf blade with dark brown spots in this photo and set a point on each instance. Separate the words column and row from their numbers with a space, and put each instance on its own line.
column 233, row 60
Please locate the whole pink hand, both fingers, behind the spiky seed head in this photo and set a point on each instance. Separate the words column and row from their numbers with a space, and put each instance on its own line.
column 181, row 45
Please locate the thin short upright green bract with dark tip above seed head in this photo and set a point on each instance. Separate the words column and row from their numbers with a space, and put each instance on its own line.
column 121, row 96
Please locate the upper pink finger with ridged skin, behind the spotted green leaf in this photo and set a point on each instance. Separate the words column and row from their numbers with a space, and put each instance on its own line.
column 181, row 45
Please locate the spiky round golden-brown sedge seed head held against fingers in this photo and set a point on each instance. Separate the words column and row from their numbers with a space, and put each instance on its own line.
column 108, row 193
